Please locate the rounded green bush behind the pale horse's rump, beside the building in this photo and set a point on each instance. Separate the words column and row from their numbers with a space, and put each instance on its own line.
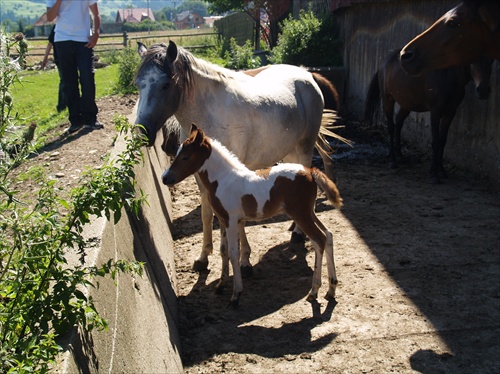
column 308, row 41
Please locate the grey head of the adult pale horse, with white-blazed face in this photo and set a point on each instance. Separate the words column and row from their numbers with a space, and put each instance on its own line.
column 160, row 88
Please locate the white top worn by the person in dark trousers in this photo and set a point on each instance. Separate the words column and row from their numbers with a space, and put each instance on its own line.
column 73, row 20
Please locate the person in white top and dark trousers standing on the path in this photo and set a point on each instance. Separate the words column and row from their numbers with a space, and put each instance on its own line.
column 74, row 43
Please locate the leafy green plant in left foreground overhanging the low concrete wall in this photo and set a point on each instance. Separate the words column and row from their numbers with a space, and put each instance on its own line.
column 42, row 294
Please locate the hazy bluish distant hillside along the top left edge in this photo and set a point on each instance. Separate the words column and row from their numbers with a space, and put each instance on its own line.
column 31, row 10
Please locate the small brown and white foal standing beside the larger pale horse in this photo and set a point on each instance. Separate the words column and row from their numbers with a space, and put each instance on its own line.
column 238, row 194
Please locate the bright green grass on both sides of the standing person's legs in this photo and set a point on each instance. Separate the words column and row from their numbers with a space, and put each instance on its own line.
column 35, row 99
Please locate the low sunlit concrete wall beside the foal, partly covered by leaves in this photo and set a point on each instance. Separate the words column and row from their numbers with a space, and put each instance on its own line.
column 141, row 312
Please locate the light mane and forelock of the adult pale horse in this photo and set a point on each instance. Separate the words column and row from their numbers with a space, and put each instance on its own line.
column 183, row 69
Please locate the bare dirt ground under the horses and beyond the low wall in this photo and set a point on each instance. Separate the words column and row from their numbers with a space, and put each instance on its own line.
column 418, row 266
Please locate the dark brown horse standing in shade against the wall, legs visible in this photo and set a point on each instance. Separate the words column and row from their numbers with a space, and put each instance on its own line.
column 438, row 91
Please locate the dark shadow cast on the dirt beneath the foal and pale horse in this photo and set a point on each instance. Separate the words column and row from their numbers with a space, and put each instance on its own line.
column 205, row 317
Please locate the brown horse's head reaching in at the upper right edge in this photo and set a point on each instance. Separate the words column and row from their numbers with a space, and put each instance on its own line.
column 462, row 35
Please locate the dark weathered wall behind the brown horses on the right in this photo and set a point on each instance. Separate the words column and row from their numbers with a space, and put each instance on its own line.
column 369, row 31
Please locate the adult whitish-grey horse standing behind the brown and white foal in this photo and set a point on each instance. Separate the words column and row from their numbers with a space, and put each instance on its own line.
column 245, row 113
